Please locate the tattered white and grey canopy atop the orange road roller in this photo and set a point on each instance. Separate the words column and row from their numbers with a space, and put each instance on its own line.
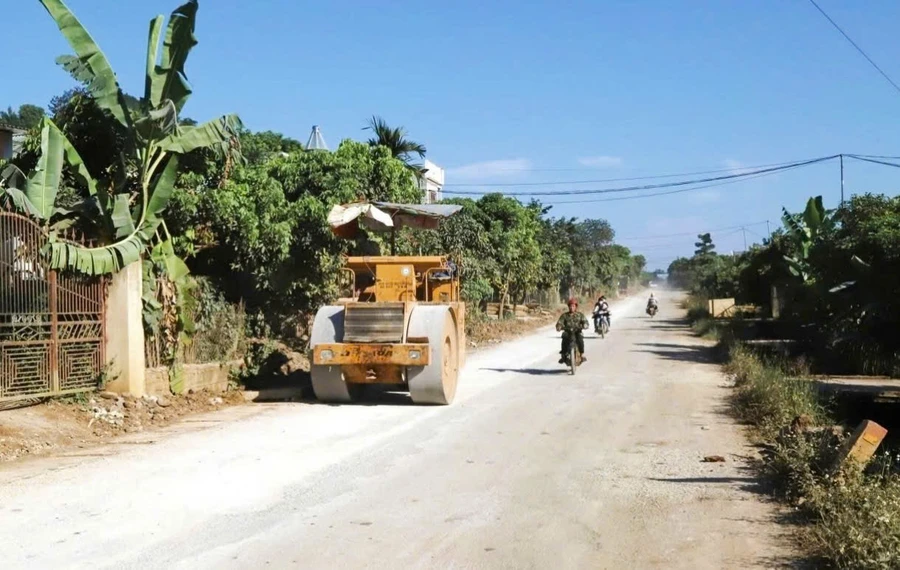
column 345, row 220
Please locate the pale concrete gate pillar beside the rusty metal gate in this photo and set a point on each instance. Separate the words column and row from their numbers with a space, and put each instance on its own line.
column 125, row 332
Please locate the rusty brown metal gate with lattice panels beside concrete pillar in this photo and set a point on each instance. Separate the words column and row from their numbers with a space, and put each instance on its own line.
column 52, row 324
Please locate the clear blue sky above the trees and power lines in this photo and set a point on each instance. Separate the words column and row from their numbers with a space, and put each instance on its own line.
column 527, row 91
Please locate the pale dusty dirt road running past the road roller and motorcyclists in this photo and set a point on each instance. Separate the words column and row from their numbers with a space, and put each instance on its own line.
column 530, row 468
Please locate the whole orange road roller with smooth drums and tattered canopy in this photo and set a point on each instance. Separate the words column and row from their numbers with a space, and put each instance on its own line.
column 400, row 321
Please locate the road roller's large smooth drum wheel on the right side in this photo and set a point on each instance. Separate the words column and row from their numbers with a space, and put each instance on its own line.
column 435, row 383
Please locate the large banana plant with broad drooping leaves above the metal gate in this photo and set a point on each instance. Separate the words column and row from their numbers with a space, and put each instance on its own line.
column 155, row 141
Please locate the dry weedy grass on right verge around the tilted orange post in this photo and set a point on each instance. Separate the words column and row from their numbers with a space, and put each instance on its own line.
column 852, row 516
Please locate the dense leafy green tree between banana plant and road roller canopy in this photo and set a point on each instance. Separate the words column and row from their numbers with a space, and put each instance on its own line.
column 263, row 233
